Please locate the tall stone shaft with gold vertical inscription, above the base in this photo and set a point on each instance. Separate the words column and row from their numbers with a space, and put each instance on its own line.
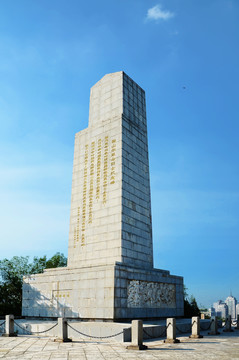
column 110, row 208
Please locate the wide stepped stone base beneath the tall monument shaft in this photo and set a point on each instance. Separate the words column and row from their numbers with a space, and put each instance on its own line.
column 106, row 292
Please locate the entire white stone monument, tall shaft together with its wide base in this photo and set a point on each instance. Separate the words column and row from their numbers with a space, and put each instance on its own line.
column 110, row 272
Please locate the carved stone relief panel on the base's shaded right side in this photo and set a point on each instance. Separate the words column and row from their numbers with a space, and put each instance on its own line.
column 145, row 294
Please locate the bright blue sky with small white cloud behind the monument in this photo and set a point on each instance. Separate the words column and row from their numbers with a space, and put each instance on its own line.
column 185, row 55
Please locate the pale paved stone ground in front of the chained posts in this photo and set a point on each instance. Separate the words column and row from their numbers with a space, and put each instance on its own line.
column 224, row 346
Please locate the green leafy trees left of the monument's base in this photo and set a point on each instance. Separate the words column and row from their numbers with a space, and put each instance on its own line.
column 11, row 278
